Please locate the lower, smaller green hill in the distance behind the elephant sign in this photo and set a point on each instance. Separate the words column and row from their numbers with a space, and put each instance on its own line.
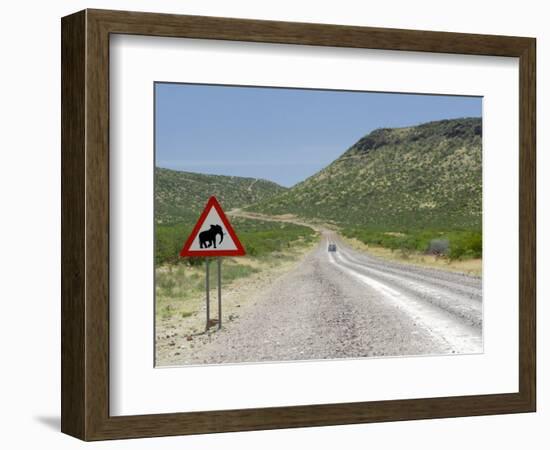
column 181, row 196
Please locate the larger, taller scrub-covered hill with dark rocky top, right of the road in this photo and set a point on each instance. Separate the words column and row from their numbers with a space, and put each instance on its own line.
column 426, row 176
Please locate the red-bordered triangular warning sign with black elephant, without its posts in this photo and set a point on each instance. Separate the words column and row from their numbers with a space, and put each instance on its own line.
column 213, row 235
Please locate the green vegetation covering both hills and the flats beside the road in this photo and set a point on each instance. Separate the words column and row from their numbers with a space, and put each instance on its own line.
column 414, row 189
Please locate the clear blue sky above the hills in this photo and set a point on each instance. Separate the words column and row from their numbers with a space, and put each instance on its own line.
column 283, row 135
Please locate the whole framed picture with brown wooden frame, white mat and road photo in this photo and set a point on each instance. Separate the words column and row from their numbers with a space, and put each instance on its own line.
column 273, row 225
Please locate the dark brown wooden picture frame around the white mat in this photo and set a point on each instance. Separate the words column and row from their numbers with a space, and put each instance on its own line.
column 85, row 224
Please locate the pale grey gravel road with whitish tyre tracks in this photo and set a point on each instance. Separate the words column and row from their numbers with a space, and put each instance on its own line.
column 347, row 304
